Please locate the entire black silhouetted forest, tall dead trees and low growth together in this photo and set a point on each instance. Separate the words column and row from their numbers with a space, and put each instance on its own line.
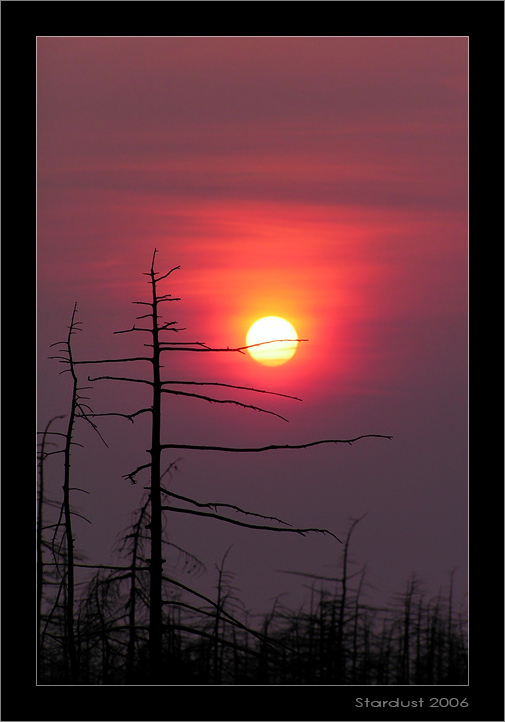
column 138, row 623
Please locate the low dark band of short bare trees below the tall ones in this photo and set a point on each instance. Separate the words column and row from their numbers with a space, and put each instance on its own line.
column 337, row 637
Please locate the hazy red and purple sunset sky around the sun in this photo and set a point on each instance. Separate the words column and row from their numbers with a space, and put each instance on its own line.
column 320, row 179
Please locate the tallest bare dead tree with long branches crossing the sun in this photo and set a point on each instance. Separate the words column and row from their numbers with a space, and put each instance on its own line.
column 156, row 329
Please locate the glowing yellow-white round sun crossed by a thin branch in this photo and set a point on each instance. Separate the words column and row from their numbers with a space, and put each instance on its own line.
column 276, row 330
